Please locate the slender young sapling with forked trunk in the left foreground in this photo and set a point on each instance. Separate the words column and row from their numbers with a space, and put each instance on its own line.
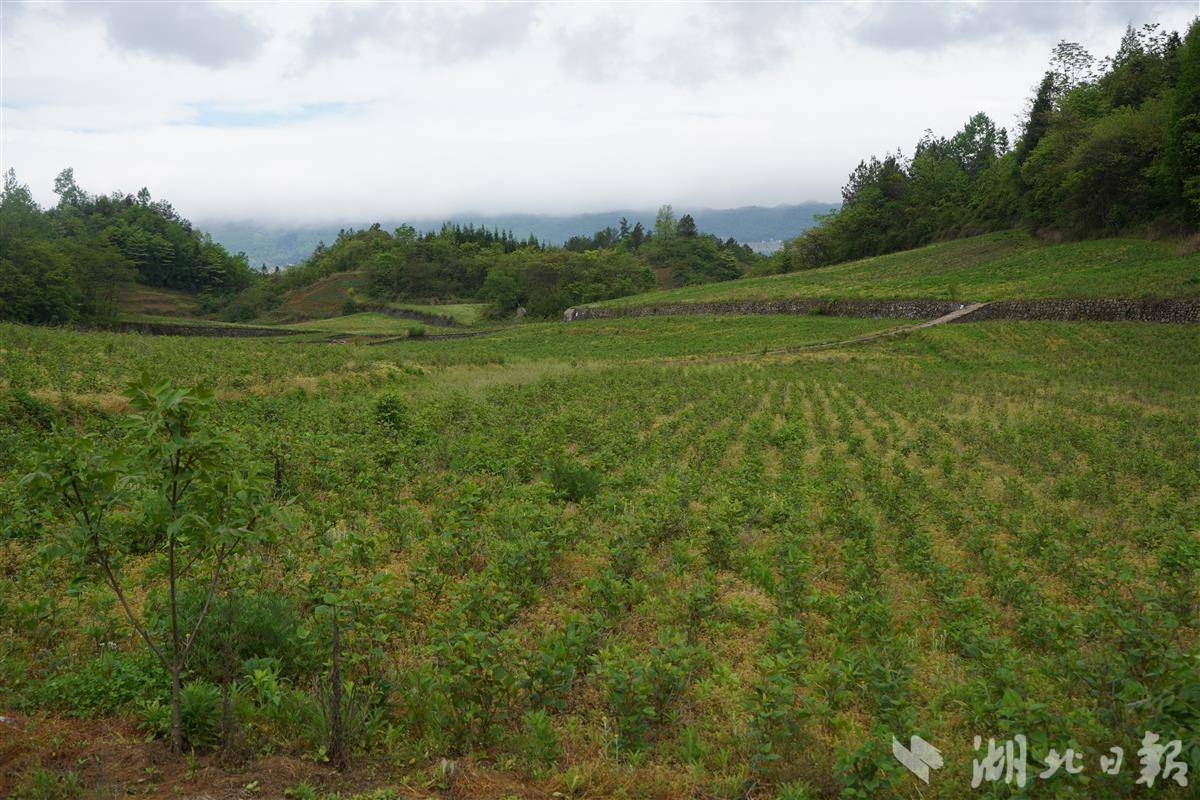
column 173, row 477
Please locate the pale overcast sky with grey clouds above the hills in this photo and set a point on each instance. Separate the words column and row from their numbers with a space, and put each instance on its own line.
column 315, row 112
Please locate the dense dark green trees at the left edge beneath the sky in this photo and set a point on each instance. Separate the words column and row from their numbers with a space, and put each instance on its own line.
column 68, row 263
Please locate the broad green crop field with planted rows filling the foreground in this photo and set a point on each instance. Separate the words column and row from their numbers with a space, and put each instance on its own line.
column 608, row 560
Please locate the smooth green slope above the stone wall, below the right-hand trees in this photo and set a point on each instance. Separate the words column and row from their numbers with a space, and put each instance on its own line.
column 995, row 267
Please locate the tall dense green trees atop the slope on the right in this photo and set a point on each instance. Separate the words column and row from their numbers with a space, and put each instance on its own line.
column 1108, row 147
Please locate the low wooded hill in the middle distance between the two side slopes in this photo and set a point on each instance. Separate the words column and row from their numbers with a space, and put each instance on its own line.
column 467, row 263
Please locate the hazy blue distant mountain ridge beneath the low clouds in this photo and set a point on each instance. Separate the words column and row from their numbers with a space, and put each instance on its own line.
column 761, row 227
